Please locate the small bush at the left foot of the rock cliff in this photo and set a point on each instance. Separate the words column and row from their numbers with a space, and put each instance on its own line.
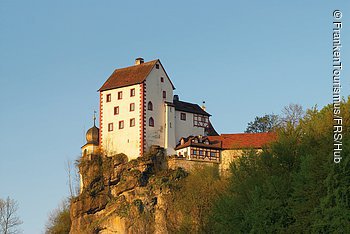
column 59, row 221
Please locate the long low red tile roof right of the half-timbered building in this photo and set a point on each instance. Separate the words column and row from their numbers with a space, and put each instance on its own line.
column 245, row 140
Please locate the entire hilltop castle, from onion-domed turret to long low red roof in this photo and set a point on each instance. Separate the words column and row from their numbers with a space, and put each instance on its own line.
column 138, row 110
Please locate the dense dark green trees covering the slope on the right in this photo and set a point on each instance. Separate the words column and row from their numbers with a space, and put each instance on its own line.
column 294, row 186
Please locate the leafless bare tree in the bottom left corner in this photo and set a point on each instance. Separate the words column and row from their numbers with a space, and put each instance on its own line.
column 9, row 221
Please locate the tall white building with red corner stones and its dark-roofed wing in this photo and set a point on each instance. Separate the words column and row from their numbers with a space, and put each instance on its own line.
column 138, row 110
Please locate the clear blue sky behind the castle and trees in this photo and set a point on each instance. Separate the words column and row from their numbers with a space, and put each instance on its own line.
column 244, row 58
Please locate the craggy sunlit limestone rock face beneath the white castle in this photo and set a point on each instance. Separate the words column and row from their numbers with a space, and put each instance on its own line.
column 121, row 196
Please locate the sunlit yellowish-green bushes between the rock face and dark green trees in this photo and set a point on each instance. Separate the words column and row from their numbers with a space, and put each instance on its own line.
column 193, row 200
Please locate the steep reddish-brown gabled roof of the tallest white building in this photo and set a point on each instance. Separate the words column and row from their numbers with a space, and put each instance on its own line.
column 132, row 75
